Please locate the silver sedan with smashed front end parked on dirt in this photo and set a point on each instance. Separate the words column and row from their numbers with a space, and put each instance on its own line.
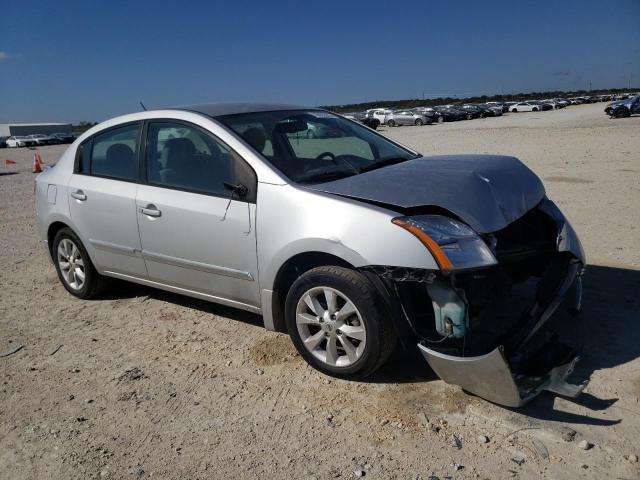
column 347, row 241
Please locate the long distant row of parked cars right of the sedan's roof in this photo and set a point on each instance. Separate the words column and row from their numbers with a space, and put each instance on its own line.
column 448, row 113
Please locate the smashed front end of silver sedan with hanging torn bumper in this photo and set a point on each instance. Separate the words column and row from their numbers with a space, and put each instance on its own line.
column 489, row 325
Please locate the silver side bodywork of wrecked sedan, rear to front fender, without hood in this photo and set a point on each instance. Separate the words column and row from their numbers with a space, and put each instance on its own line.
column 241, row 274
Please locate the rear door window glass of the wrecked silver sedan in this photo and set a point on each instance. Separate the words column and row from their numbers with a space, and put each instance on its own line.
column 113, row 153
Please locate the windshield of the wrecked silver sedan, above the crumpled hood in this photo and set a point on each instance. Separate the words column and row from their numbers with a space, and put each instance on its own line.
column 315, row 146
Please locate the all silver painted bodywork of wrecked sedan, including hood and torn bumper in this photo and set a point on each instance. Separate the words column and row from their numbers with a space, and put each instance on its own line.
column 230, row 252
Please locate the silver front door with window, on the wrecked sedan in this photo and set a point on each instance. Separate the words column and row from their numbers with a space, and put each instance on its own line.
column 198, row 234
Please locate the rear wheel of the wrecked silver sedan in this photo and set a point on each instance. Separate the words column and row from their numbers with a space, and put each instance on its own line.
column 74, row 267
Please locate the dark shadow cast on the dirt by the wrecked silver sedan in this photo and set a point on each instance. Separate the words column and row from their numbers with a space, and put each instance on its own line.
column 607, row 331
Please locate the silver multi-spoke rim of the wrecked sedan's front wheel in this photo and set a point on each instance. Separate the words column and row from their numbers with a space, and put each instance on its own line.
column 330, row 326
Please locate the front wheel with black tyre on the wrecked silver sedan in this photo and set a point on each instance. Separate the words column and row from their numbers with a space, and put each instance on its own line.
column 338, row 323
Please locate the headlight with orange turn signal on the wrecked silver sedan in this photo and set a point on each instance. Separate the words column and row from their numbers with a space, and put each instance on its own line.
column 453, row 244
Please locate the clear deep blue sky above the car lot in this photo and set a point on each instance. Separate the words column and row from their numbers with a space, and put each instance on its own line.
column 77, row 61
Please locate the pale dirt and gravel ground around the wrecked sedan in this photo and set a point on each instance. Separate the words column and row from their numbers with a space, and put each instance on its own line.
column 146, row 384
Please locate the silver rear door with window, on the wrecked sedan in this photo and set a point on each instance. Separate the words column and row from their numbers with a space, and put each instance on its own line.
column 102, row 204
